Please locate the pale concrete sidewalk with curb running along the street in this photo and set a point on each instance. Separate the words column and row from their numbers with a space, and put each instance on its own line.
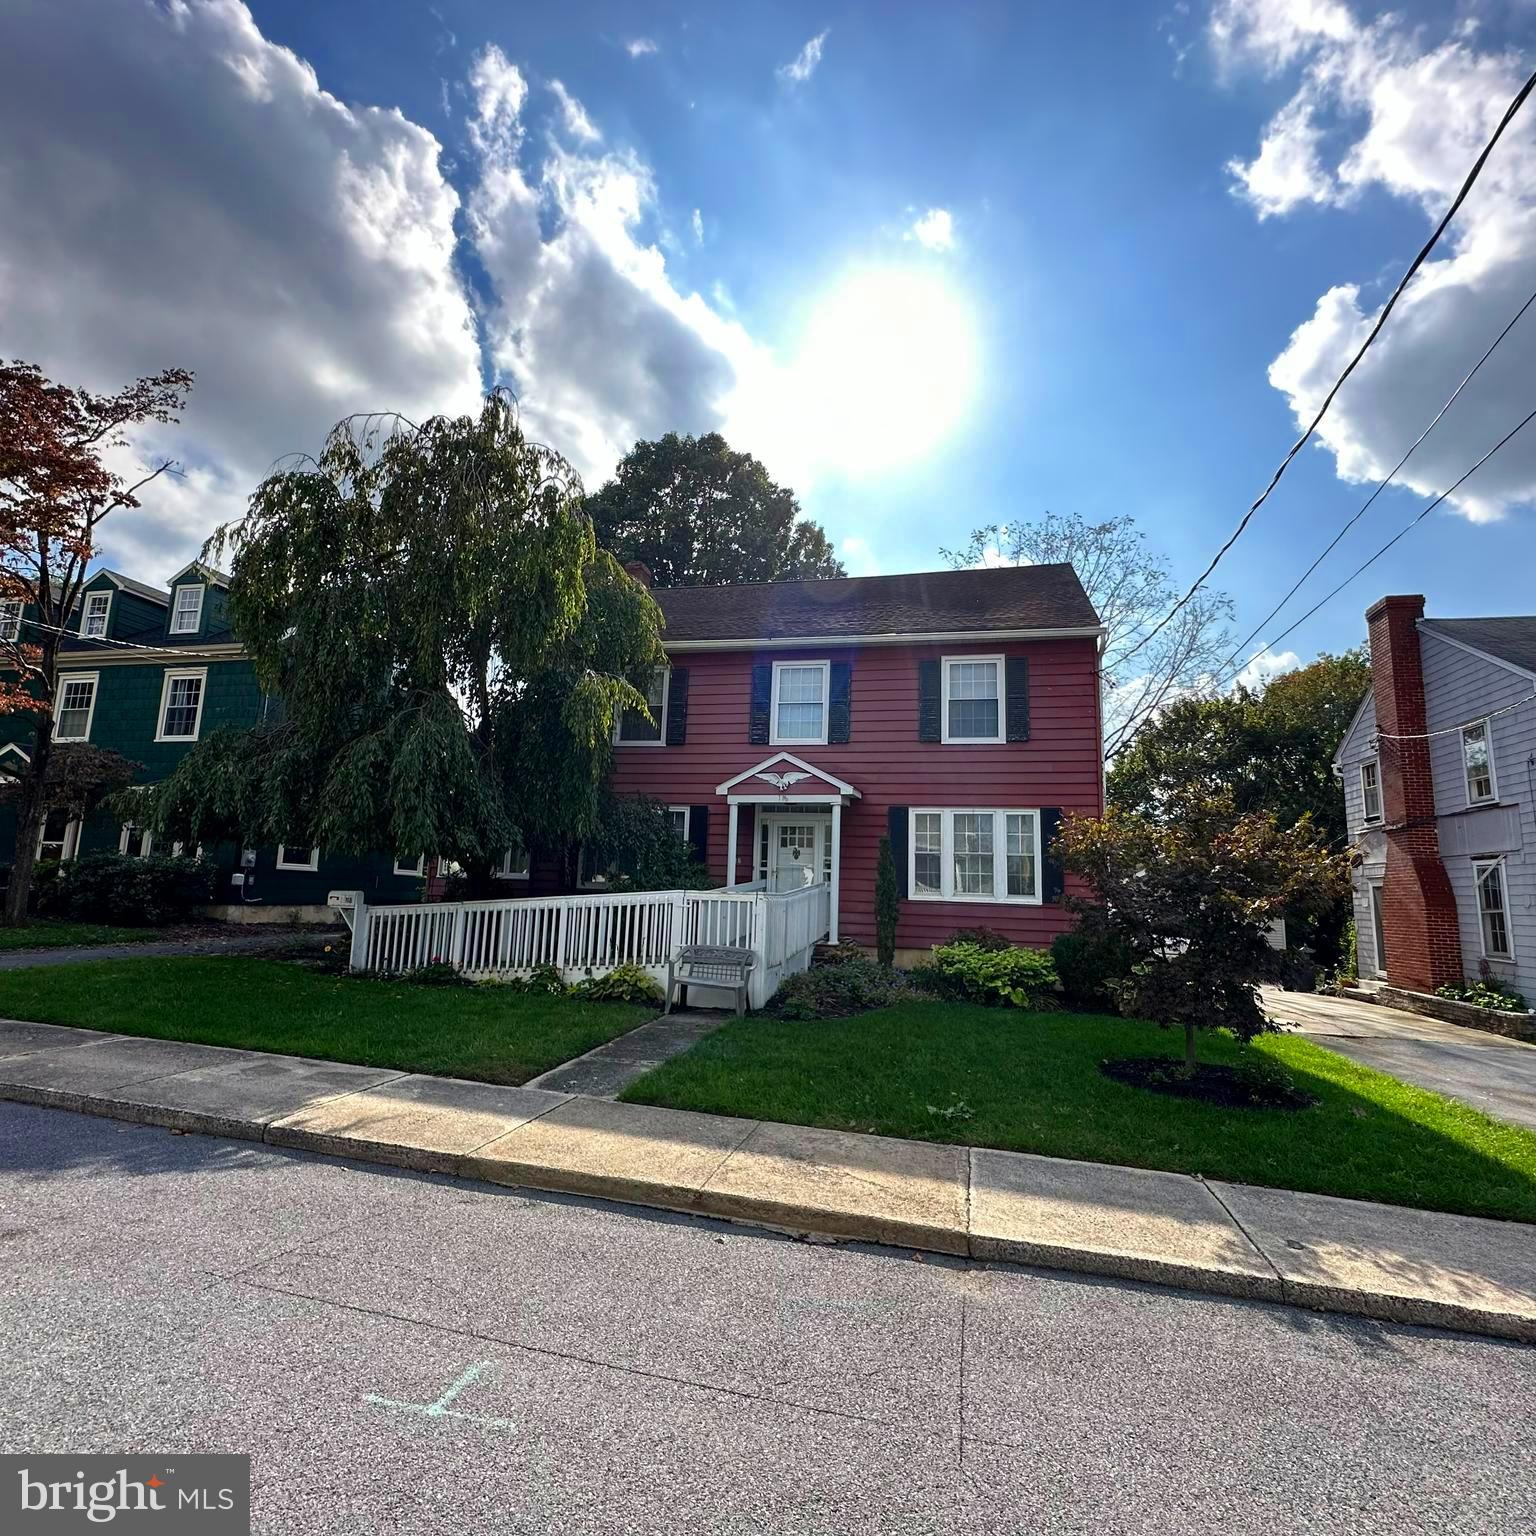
column 1337, row 1256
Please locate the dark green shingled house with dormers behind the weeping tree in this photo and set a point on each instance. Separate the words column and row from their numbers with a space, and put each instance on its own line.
column 148, row 674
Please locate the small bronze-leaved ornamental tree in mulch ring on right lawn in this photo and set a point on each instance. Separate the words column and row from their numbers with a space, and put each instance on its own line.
column 1193, row 895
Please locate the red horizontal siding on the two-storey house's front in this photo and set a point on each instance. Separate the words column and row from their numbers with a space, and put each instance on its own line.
column 1061, row 766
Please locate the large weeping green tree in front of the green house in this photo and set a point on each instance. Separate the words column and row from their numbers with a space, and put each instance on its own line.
column 442, row 644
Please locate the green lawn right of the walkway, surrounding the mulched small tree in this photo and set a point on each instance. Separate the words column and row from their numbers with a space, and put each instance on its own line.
column 1031, row 1084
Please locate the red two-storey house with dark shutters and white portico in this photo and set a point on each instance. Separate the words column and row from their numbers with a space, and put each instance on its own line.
column 803, row 721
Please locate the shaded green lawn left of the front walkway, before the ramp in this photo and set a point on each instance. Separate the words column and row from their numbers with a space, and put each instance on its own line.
column 486, row 1033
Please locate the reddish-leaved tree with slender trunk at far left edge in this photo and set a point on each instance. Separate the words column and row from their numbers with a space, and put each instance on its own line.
column 56, row 491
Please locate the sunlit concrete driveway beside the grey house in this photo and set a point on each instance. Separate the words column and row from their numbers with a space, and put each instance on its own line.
column 1486, row 1071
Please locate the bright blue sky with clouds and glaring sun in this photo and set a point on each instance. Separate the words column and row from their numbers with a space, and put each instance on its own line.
column 1131, row 211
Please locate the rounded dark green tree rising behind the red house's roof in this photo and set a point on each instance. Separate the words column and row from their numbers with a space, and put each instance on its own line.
column 700, row 514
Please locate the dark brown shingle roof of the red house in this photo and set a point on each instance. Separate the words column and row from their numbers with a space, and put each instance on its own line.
column 924, row 603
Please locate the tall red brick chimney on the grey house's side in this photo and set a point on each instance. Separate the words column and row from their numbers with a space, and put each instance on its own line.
column 1418, row 907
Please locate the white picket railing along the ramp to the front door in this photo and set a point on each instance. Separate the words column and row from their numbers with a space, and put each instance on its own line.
column 591, row 935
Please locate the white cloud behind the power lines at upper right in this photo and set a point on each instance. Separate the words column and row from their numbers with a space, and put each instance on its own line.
column 1385, row 108
